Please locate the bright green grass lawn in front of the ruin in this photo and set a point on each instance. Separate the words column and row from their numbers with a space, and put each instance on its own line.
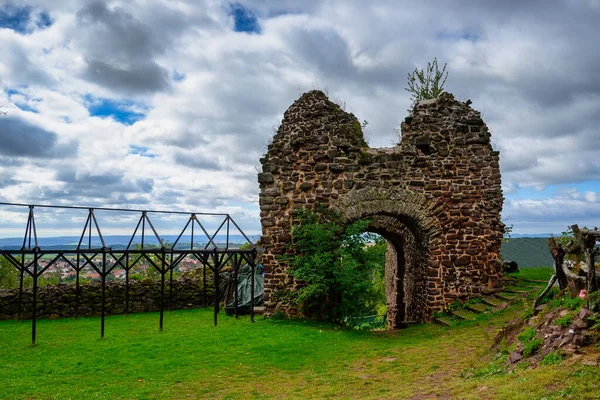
column 271, row 359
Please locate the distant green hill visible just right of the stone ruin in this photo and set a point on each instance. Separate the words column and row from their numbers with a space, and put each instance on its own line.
column 528, row 251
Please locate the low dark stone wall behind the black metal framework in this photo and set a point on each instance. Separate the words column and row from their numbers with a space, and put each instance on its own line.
column 59, row 301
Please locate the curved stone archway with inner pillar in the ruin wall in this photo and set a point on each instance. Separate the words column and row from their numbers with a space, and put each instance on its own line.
column 406, row 221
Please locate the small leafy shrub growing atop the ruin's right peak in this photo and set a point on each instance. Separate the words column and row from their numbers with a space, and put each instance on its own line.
column 428, row 83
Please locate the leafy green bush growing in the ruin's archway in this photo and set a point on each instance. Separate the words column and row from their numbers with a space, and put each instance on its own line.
column 335, row 265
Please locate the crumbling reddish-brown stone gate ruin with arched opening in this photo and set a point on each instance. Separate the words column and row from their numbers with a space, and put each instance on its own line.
column 435, row 197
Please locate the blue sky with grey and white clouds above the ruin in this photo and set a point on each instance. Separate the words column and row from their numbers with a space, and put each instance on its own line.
column 169, row 104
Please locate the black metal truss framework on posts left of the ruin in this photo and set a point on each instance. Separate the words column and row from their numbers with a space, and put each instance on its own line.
column 164, row 257
